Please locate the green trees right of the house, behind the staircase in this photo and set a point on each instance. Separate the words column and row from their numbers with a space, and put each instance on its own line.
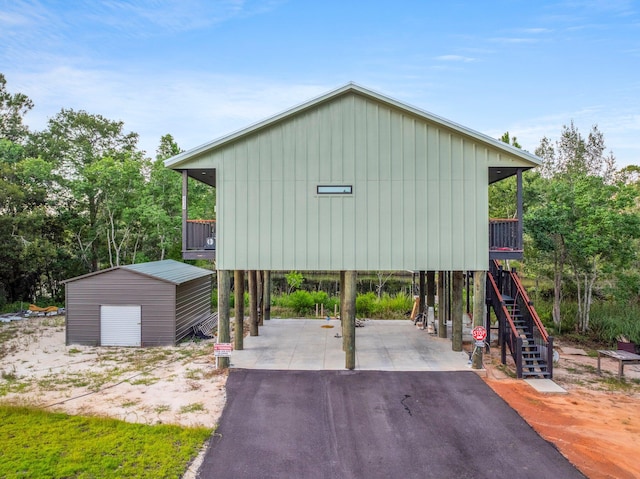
column 581, row 222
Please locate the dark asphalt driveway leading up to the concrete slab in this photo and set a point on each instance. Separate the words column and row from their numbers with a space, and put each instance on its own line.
column 374, row 424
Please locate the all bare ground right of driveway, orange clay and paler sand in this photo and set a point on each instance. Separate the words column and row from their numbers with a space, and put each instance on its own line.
column 596, row 425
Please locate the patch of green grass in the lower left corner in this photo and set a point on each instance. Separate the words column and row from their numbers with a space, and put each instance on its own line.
column 36, row 444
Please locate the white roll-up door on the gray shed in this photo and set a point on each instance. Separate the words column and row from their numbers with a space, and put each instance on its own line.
column 120, row 325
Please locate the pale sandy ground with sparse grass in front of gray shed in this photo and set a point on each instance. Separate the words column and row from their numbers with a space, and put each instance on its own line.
column 164, row 385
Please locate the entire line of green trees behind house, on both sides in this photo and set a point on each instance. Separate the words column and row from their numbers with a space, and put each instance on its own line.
column 80, row 196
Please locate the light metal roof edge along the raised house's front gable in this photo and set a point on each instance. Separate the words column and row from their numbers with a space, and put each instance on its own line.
column 181, row 160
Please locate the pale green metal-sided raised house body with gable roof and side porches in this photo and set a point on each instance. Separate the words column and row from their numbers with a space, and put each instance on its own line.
column 353, row 181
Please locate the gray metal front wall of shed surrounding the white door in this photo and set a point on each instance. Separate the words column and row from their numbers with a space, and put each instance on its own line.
column 120, row 287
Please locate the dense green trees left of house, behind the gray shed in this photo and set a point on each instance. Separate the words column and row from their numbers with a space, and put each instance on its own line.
column 80, row 196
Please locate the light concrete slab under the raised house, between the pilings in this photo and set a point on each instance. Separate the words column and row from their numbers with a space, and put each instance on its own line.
column 381, row 345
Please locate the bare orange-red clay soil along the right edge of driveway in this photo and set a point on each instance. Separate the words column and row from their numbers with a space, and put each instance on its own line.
column 598, row 431
